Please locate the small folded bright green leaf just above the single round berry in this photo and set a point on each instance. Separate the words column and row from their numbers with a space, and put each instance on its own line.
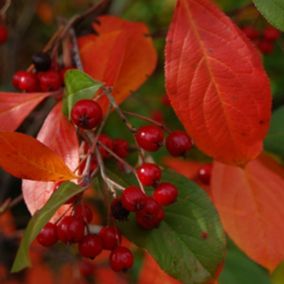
column 79, row 86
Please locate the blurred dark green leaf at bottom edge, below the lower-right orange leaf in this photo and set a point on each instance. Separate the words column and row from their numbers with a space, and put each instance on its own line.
column 238, row 268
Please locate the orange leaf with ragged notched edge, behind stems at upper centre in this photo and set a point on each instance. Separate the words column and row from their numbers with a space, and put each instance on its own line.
column 122, row 56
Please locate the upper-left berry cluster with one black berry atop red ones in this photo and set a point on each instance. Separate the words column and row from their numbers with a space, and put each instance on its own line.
column 44, row 79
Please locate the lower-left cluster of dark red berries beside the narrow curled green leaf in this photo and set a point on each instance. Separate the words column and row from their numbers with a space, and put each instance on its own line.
column 74, row 229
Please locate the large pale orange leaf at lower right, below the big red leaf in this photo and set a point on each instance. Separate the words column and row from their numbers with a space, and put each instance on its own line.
column 250, row 203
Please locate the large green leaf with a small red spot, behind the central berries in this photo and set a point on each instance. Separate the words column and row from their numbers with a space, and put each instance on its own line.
column 179, row 245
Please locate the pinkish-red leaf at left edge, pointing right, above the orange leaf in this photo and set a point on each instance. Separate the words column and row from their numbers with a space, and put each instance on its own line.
column 15, row 107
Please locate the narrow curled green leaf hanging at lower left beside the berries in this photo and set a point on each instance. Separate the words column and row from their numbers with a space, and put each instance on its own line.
column 40, row 218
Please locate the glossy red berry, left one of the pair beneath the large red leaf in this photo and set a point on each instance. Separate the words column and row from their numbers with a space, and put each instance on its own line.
column 150, row 137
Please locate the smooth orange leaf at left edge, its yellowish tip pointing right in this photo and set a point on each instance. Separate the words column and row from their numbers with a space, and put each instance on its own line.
column 25, row 157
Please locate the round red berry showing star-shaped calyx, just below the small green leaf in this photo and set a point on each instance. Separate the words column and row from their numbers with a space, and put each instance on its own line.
column 86, row 114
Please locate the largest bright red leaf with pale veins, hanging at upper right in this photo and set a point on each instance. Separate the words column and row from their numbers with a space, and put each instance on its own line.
column 216, row 83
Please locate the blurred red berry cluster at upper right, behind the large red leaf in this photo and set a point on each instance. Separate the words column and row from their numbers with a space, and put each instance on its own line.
column 264, row 40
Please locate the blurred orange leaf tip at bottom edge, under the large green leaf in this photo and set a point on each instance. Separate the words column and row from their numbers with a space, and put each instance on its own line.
column 152, row 273
